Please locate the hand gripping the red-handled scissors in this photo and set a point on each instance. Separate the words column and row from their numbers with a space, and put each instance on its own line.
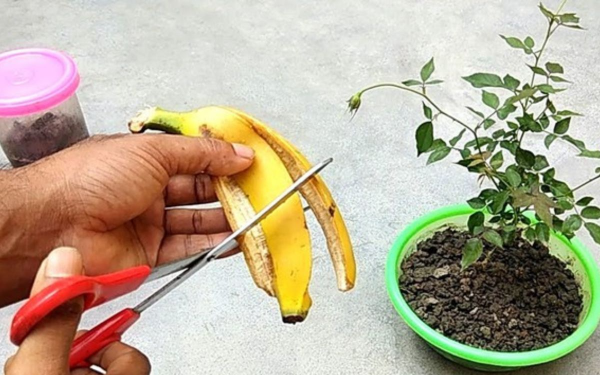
column 46, row 349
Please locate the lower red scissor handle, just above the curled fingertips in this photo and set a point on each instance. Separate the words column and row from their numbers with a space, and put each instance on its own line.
column 100, row 336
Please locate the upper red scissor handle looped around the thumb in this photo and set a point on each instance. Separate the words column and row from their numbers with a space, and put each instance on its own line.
column 95, row 290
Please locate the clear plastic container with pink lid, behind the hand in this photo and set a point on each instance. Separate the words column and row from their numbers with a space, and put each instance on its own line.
column 39, row 110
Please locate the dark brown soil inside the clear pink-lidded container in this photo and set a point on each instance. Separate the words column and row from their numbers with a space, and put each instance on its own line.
column 50, row 133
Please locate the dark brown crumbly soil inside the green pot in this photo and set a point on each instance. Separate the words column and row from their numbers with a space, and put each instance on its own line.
column 522, row 299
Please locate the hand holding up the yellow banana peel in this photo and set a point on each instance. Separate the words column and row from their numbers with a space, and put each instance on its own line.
column 107, row 196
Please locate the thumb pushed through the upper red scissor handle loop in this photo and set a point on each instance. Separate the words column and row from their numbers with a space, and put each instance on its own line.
column 47, row 346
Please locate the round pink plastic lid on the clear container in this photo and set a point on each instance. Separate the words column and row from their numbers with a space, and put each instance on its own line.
column 33, row 80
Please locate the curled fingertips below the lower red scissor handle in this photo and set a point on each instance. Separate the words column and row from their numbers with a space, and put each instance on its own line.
column 118, row 359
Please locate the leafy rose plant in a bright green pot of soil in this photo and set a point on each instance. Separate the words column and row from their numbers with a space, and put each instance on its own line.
column 501, row 282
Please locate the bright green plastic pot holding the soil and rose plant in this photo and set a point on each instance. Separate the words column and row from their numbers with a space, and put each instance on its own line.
column 573, row 253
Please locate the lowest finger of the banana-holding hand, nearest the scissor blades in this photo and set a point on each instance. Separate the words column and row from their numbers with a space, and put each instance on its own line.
column 179, row 246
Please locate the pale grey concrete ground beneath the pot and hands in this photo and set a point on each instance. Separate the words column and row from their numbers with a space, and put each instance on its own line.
column 293, row 64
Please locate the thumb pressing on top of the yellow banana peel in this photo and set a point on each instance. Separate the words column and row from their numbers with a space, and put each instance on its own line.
column 180, row 155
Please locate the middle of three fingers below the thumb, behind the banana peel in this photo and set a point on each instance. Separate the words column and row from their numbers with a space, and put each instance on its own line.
column 186, row 221
